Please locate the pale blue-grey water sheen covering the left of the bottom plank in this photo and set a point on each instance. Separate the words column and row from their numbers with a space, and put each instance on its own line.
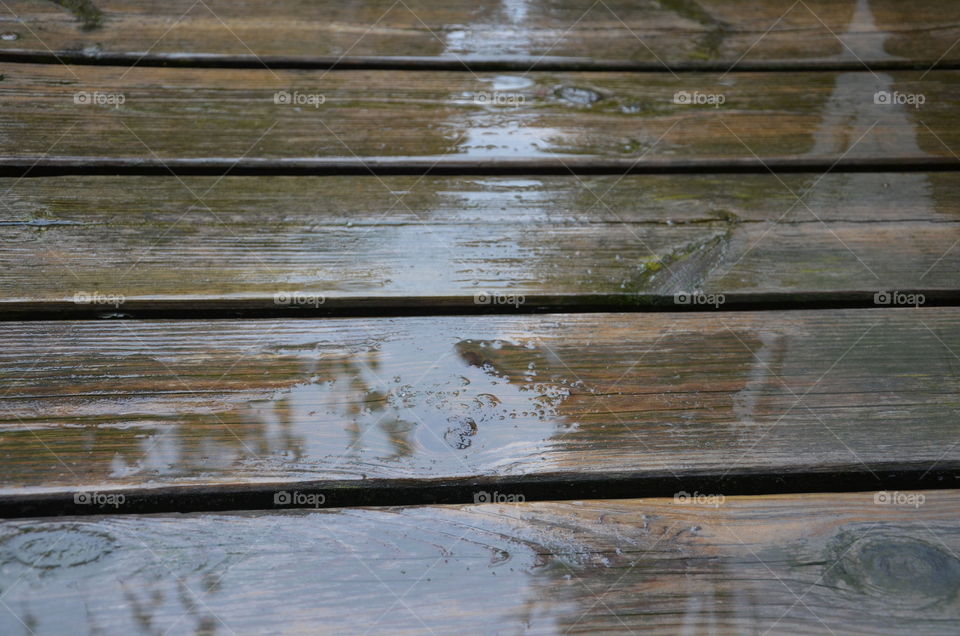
column 159, row 571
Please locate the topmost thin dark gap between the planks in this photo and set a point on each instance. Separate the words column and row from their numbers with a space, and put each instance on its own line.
column 468, row 63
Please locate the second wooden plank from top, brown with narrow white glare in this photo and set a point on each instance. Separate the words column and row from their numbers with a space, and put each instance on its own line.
column 227, row 119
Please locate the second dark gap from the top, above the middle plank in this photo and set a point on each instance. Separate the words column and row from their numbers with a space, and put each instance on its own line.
column 453, row 166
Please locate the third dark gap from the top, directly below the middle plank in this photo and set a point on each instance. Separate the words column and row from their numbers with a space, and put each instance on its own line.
column 501, row 303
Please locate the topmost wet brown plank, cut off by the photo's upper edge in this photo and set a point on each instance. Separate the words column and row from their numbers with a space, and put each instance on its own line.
column 522, row 33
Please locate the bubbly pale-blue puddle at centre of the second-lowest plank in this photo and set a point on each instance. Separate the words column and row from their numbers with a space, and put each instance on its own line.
column 443, row 401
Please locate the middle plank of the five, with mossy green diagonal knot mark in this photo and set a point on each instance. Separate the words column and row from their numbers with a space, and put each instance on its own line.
column 557, row 241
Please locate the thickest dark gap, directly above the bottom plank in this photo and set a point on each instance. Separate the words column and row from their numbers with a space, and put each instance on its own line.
column 465, row 490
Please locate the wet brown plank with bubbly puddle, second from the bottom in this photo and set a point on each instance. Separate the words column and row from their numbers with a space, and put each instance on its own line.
column 154, row 403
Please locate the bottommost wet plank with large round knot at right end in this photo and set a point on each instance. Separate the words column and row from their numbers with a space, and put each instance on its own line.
column 806, row 564
